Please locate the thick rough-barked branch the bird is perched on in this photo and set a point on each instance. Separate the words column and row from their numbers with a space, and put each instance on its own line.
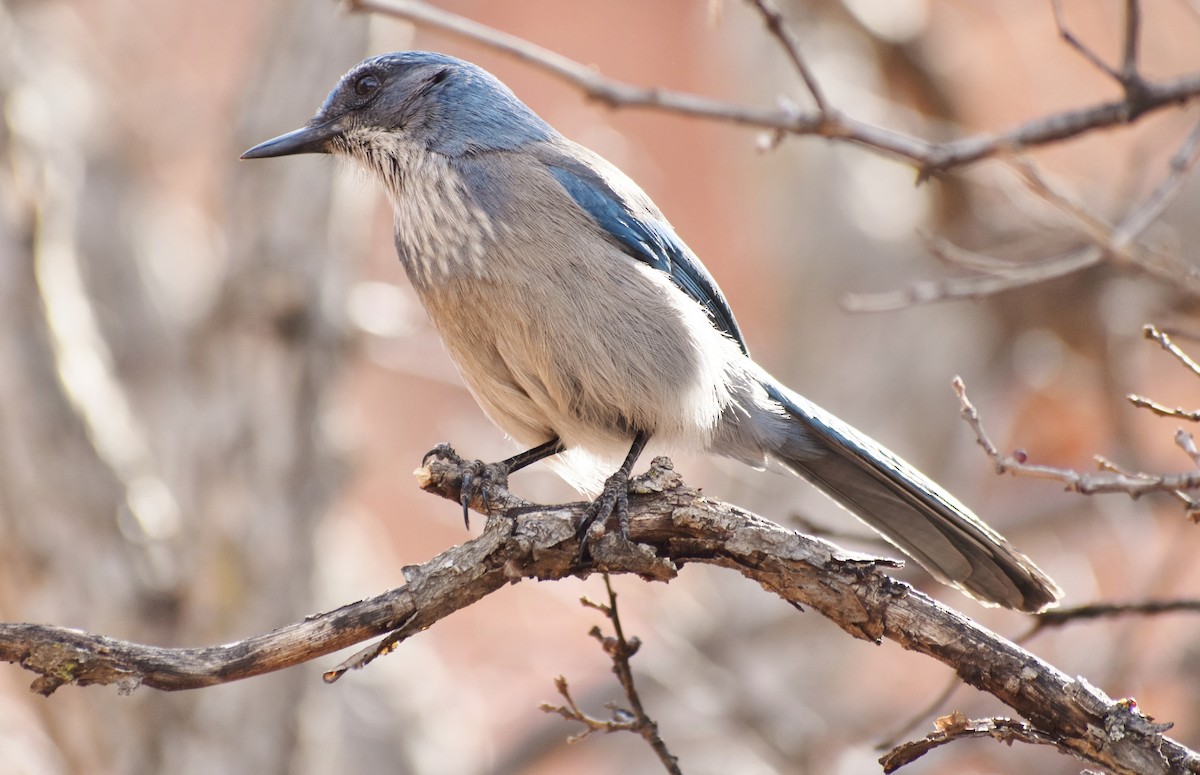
column 670, row 526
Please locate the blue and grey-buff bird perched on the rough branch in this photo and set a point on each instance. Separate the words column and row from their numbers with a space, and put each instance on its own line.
column 586, row 328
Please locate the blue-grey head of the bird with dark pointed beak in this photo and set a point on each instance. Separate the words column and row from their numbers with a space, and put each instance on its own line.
column 439, row 103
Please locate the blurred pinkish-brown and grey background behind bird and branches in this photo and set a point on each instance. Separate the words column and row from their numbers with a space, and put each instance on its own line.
column 215, row 381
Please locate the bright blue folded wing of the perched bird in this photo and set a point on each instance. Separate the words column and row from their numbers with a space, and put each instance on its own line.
column 650, row 241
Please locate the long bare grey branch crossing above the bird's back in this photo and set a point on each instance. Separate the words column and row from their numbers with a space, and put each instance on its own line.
column 927, row 157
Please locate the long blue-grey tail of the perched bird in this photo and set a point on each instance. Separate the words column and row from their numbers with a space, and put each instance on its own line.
column 909, row 510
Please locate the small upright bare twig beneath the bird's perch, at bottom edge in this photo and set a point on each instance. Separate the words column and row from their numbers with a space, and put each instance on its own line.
column 635, row 719
